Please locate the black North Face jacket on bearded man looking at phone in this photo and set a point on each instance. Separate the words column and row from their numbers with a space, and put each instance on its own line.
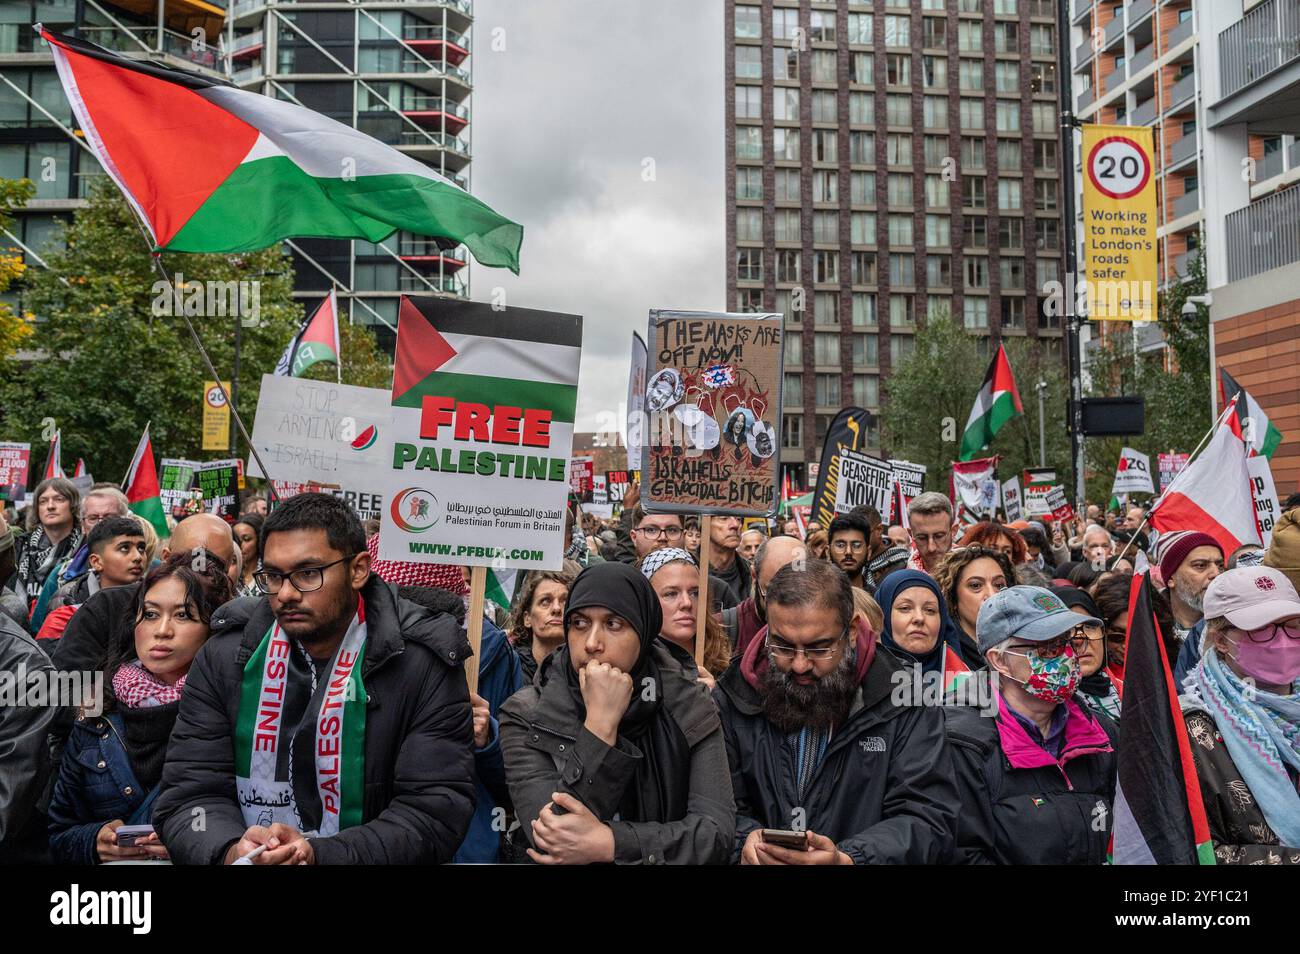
column 885, row 791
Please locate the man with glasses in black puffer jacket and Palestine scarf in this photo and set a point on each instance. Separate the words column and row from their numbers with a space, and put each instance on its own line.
column 324, row 723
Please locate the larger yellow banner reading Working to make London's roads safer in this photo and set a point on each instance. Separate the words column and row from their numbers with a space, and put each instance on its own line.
column 1120, row 223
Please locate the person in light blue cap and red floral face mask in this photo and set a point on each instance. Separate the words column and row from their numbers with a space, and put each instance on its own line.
column 1038, row 782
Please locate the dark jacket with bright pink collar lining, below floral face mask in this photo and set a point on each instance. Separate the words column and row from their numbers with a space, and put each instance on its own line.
column 1047, row 813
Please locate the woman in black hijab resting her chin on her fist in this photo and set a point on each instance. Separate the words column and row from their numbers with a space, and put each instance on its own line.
column 616, row 753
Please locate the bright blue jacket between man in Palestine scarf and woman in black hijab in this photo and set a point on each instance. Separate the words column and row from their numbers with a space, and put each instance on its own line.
column 500, row 678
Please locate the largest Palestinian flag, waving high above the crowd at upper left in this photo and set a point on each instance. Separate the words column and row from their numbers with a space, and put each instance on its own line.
column 213, row 168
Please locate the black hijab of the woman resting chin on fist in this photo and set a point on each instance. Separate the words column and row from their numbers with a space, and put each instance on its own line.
column 658, row 790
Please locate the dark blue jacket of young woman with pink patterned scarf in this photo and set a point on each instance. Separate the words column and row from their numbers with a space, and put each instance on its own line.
column 97, row 784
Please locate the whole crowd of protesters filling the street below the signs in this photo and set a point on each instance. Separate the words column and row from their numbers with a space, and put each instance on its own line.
column 928, row 691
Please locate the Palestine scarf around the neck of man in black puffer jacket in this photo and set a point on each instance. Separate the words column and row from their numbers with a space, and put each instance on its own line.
column 271, row 715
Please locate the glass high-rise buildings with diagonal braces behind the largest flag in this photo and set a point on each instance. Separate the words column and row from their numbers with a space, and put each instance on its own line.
column 398, row 72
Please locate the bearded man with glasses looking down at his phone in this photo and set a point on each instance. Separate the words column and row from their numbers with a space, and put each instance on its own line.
column 817, row 745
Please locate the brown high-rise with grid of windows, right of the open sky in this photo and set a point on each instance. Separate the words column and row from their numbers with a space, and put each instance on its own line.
column 889, row 161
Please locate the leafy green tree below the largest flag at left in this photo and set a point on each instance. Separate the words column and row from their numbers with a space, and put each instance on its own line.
column 110, row 362
